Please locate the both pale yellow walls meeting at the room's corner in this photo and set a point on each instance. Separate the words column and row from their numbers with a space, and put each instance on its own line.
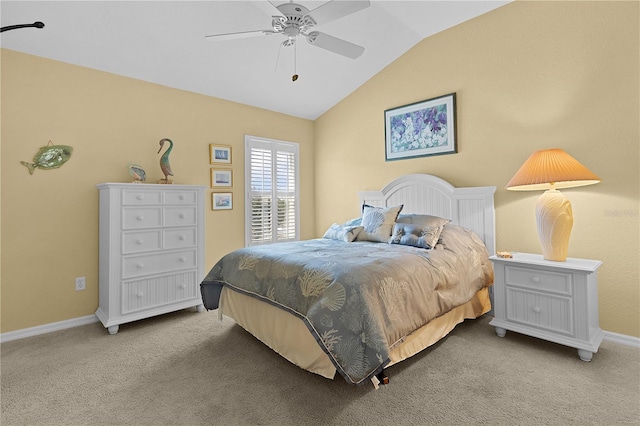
column 527, row 76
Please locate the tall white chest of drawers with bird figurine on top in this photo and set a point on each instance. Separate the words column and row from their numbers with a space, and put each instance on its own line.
column 151, row 250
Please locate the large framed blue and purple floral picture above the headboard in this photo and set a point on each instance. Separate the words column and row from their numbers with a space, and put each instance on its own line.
column 421, row 129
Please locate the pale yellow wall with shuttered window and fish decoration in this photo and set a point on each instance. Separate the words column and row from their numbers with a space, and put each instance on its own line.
column 50, row 218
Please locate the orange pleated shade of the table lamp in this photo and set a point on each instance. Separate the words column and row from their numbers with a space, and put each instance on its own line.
column 551, row 168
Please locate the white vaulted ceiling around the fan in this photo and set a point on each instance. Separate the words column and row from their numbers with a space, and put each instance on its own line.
column 164, row 42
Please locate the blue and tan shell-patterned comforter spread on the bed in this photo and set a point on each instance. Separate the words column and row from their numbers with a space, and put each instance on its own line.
column 360, row 299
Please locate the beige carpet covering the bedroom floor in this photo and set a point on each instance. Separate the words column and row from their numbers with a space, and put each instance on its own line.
column 188, row 368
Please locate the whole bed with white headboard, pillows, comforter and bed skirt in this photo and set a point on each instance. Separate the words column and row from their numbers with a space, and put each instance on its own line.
column 374, row 290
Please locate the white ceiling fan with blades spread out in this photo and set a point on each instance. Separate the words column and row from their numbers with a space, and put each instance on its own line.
column 293, row 20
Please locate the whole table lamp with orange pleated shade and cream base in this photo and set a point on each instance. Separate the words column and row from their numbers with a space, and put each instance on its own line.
column 550, row 170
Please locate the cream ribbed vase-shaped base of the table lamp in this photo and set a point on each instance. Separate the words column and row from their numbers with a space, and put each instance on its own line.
column 554, row 217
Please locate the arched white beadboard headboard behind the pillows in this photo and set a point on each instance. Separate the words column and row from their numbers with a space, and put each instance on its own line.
column 471, row 208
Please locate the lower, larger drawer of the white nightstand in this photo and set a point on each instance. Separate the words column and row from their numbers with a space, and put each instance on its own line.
column 540, row 310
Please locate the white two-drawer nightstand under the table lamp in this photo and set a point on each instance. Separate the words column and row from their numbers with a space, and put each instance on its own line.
column 555, row 301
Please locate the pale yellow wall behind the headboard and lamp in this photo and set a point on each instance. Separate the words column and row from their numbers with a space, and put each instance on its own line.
column 528, row 76
